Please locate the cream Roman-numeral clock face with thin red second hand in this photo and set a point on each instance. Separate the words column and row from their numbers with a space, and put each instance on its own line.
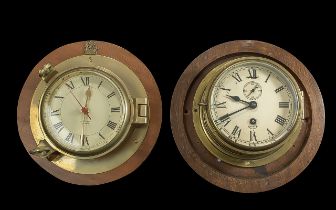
column 84, row 111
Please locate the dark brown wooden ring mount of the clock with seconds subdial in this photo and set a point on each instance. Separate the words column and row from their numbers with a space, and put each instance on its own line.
column 236, row 178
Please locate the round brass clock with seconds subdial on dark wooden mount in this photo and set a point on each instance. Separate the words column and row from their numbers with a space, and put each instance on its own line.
column 247, row 116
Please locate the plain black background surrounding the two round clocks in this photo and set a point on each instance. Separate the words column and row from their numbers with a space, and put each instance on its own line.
column 167, row 41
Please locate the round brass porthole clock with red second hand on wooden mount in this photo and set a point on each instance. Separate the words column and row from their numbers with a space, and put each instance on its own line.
column 89, row 113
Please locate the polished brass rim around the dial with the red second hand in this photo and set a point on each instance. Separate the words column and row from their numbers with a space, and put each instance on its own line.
column 119, row 152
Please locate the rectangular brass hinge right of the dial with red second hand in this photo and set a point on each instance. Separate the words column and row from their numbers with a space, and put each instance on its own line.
column 141, row 111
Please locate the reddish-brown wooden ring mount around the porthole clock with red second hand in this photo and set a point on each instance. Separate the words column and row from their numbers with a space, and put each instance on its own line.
column 154, row 98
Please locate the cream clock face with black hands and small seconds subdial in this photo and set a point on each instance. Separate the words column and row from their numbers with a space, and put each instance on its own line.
column 253, row 103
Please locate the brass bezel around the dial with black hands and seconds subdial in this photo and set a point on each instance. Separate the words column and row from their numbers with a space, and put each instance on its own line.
column 218, row 144
